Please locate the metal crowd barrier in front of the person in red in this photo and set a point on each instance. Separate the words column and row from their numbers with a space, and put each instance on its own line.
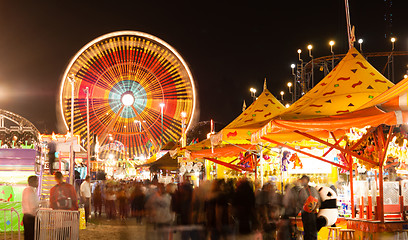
column 56, row 224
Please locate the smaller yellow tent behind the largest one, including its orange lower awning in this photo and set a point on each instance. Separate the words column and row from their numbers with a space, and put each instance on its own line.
column 226, row 146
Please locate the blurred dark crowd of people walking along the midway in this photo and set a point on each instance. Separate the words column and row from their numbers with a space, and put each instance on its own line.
column 215, row 209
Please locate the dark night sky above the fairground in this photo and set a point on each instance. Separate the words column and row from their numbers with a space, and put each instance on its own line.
column 229, row 46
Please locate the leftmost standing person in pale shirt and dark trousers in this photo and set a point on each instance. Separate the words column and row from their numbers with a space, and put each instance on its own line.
column 30, row 204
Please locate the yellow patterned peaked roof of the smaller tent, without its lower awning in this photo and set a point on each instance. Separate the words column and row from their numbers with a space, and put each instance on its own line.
column 261, row 111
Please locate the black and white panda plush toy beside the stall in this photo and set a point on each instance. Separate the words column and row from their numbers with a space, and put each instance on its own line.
column 328, row 212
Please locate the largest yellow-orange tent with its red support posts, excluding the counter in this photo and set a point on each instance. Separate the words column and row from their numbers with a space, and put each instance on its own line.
column 329, row 100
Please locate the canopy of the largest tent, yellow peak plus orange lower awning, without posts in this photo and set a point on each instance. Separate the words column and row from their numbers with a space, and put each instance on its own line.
column 328, row 110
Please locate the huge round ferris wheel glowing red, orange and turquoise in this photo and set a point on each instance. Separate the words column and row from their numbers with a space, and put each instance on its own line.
column 140, row 92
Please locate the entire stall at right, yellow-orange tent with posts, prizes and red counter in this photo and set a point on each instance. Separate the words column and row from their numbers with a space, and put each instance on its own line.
column 315, row 118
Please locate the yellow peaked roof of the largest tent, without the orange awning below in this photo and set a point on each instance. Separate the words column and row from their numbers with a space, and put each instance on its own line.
column 352, row 83
